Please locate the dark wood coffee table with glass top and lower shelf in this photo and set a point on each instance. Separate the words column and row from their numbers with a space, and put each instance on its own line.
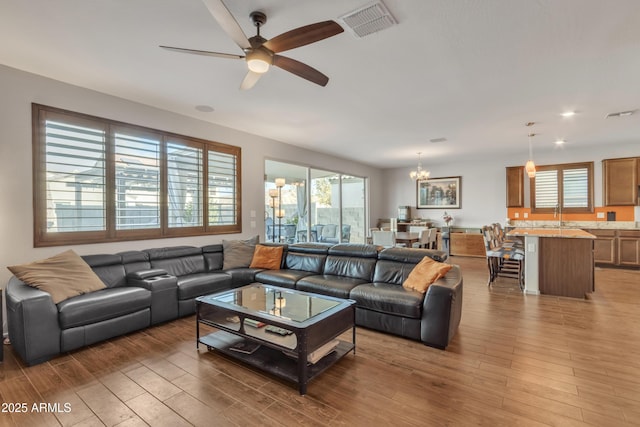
column 288, row 333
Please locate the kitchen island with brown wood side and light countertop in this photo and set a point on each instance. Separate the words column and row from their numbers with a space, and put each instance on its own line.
column 558, row 261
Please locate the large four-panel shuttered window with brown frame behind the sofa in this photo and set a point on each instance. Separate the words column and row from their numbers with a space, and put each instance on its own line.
column 97, row 180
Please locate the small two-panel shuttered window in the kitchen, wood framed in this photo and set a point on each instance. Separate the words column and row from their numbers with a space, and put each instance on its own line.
column 568, row 187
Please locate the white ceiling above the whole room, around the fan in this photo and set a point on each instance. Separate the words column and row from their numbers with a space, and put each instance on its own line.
column 472, row 71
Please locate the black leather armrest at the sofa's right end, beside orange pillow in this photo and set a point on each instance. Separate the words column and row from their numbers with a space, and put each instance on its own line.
column 442, row 310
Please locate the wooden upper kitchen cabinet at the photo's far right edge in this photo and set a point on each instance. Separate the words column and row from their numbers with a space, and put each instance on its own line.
column 620, row 181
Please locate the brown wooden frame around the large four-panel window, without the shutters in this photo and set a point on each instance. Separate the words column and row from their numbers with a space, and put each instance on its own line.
column 44, row 238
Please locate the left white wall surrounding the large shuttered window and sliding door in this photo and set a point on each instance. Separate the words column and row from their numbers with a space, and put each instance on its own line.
column 20, row 89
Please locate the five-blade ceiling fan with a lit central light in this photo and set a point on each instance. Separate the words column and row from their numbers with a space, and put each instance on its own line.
column 261, row 53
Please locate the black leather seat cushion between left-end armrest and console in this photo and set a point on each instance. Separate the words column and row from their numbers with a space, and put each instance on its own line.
column 102, row 305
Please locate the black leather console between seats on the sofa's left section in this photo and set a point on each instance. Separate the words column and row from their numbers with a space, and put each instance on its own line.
column 164, row 293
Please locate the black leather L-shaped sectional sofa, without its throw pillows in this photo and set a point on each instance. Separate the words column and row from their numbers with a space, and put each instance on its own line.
column 148, row 287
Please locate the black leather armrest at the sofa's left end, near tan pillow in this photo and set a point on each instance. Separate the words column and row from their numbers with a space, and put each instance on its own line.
column 32, row 320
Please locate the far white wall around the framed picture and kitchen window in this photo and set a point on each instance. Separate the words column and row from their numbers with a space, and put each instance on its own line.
column 483, row 192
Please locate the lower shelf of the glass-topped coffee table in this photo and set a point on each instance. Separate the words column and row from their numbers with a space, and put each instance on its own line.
column 275, row 361
